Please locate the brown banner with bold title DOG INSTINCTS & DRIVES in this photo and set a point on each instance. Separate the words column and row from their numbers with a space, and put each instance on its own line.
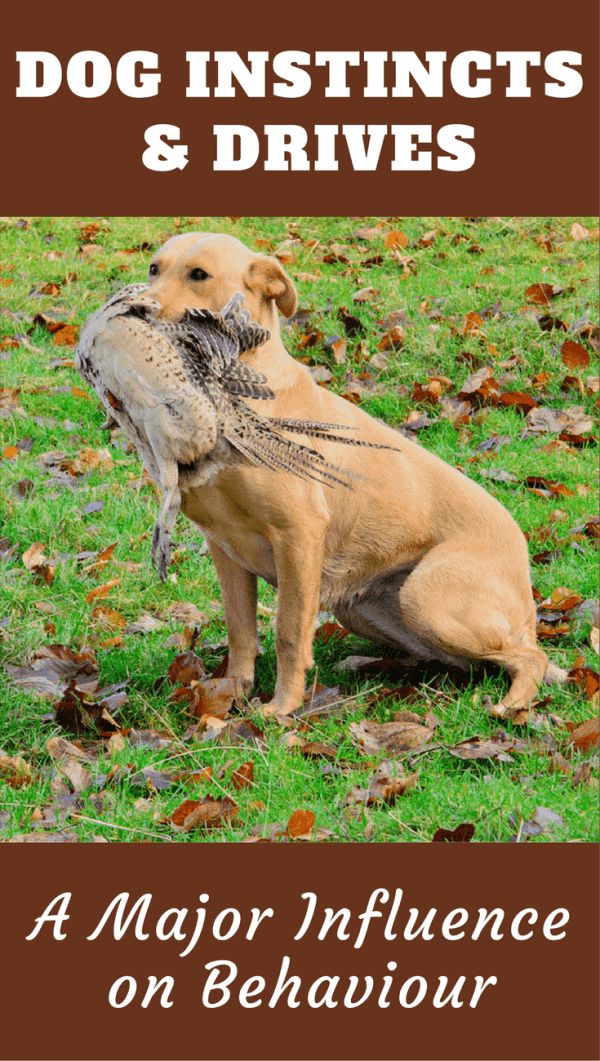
column 535, row 154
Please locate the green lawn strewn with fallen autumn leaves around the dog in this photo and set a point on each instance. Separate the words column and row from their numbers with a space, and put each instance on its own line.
column 436, row 271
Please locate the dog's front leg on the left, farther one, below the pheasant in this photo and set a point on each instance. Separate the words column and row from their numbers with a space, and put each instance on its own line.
column 239, row 592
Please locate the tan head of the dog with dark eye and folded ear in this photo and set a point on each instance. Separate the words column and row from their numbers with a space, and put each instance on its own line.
column 203, row 271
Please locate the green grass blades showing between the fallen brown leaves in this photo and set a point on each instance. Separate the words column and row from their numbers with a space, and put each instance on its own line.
column 515, row 255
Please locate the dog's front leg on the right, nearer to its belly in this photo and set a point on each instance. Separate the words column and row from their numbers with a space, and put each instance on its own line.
column 299, row 561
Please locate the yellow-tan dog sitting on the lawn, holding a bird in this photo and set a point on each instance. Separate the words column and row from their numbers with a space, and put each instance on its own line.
column 416, row 556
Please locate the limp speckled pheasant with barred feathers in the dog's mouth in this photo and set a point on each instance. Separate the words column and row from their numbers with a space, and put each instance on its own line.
column 178, row 391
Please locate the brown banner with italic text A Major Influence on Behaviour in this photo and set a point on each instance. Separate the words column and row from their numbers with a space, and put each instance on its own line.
column 542, row 1006
